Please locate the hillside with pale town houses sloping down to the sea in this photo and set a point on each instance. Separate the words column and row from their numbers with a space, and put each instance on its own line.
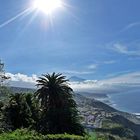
column 103, row 118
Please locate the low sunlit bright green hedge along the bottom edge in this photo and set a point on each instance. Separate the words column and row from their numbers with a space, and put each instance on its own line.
column 25, row 134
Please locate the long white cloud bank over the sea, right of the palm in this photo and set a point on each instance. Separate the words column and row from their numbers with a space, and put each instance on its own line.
column 120, row 84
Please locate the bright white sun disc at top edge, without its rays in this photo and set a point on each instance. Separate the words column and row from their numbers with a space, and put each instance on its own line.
column 47, row 6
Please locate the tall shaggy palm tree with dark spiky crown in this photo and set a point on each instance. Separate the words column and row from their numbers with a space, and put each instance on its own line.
column 59, row 110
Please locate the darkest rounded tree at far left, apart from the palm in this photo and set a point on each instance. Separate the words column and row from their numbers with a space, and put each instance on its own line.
column 17, row 112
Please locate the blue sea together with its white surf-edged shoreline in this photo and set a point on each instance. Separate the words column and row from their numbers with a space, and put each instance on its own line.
column 122, row 102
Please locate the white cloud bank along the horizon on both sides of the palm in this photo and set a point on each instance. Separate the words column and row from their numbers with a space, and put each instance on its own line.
column 129, row 82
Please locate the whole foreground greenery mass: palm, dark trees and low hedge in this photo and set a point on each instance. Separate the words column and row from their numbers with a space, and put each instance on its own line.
column 50, row 110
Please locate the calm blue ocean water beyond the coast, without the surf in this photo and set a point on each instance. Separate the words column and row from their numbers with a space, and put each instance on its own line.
column 129, row 102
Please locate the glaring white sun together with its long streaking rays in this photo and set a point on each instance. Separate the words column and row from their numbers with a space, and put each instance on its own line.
column 35, row 7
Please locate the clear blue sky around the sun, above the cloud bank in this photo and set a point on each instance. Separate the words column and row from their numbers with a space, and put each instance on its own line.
column 93, row 39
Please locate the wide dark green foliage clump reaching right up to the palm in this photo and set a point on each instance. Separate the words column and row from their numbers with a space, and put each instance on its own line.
column 21, row 111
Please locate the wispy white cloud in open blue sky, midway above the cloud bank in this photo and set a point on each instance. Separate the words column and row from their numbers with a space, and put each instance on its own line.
column 124, row 49
